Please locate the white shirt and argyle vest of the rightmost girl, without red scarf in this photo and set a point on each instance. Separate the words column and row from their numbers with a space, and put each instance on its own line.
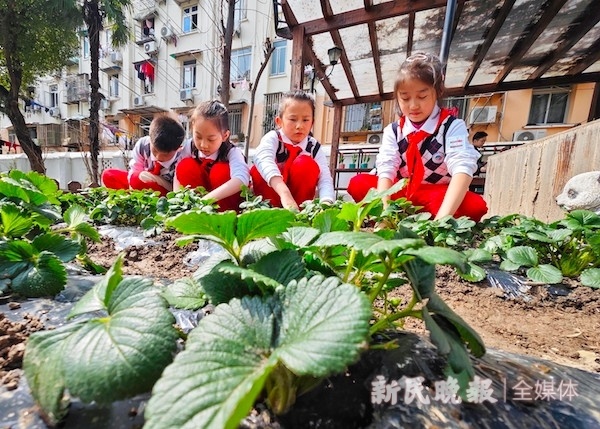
column 441, row 159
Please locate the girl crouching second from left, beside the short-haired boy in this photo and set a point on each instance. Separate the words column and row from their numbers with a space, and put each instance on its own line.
column 210, row 160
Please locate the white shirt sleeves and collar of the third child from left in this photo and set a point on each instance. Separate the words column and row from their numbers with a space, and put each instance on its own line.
column 266, row 164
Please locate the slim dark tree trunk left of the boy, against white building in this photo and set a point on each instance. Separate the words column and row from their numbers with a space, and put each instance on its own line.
column 93, row 21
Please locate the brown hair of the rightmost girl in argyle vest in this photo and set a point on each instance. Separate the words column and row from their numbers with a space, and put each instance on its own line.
column 425, row 67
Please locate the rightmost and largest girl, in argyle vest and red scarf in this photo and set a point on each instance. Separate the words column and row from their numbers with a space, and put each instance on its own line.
column 427, row 145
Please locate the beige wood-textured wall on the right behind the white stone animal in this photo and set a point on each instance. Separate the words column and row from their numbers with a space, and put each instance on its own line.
column 528, row 178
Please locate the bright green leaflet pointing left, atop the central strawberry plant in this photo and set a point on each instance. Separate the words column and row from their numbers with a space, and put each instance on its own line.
column 219, row 227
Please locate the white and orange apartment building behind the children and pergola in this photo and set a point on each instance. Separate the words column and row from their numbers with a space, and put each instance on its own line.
column 173, row 61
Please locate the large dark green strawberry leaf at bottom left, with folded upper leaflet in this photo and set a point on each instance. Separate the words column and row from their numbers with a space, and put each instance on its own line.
column 119, row 345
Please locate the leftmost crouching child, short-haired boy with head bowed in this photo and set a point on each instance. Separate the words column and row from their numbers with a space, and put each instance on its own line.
column 153, row 161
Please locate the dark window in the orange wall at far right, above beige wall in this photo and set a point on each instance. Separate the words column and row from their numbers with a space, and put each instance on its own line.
column 549, row 106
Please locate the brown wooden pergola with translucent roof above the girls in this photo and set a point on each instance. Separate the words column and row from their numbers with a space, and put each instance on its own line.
column 488, row 46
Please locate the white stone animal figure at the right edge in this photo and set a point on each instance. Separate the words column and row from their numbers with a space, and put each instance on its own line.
column 581, row 192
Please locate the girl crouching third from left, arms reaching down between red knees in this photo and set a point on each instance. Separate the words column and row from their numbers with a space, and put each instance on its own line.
column 288, row 165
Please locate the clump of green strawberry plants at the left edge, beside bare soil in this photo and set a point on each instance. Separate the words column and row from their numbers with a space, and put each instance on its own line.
column 32, row 254
